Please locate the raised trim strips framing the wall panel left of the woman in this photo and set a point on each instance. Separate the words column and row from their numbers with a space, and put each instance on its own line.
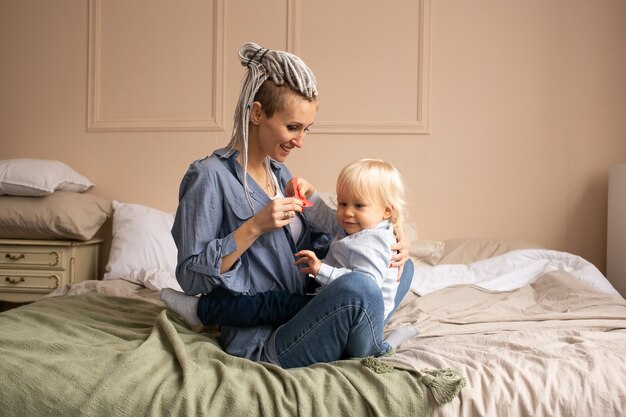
column 97, row 123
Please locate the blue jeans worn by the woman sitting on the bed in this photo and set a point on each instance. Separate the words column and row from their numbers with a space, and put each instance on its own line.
column 344, row 320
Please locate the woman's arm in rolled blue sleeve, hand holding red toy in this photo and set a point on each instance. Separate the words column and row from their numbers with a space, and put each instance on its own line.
column 214, row 226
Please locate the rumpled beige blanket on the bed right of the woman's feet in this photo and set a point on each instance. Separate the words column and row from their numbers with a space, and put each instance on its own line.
column 556, row 347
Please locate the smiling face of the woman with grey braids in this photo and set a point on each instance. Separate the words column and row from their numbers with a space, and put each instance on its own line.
column 286, row 129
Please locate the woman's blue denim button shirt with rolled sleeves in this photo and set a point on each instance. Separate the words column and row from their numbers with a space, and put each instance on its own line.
column 212, row 205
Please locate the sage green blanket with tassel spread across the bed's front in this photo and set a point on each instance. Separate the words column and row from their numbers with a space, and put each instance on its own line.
column 94, row 355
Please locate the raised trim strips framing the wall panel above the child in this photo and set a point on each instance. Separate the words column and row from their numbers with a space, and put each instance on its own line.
column 419, row 125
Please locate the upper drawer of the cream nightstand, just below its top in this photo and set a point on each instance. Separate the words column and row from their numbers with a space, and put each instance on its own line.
column 21, row 257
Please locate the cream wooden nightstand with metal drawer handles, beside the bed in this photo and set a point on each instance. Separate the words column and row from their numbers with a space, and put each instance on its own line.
column 29, row 269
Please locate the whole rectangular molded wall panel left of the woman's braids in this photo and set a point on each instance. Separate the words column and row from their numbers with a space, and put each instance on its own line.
column 146, row 74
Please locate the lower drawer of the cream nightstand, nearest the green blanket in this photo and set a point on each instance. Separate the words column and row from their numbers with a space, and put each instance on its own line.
column 14, row 281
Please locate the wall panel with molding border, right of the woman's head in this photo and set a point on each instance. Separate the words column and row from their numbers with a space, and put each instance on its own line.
column 411, row 57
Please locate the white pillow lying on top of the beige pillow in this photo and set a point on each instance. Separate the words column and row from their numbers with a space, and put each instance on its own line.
column 37, row 177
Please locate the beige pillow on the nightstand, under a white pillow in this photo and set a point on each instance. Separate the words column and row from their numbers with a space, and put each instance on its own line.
column 60, row 215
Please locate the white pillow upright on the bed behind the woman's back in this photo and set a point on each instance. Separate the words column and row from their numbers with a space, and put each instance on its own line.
column 142, row 249
